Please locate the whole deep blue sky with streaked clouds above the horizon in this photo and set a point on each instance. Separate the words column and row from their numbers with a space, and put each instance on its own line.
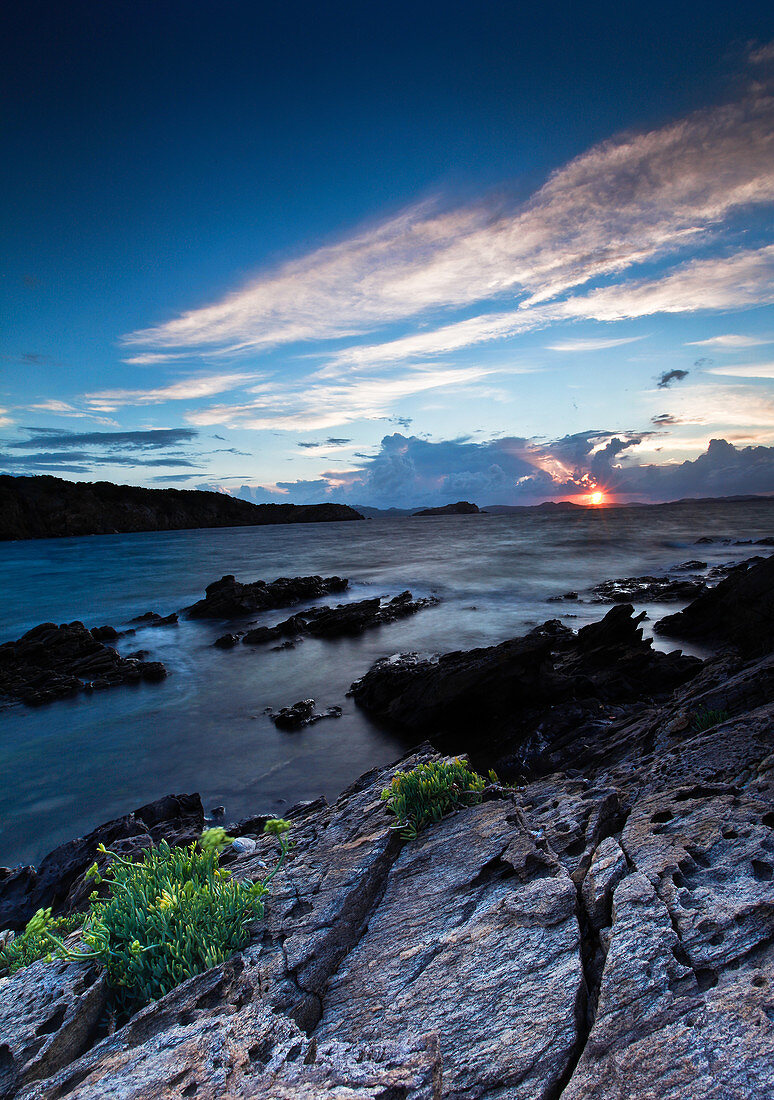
column 391, row 255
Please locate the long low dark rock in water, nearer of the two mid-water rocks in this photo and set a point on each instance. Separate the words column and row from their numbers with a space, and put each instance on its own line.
column 342, row 621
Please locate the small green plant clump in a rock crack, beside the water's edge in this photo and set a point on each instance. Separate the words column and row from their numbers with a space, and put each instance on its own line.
column 429, row 791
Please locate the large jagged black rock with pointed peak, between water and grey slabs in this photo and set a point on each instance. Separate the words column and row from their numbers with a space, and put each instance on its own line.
column 537, row 697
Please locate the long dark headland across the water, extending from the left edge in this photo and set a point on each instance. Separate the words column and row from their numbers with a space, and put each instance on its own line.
column 46, row 508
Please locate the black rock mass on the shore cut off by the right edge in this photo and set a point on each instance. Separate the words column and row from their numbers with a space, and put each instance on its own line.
column 740, row 612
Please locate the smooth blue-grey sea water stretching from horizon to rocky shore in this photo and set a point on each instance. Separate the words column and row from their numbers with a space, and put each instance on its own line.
column 74, row 764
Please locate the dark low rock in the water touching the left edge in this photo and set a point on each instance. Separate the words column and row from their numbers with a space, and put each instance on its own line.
column 53, row 662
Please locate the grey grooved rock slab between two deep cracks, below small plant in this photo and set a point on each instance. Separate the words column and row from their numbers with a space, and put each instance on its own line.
column 476, row 939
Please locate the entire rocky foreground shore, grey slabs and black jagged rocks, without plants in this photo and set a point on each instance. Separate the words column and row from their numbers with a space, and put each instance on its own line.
column 601, row 927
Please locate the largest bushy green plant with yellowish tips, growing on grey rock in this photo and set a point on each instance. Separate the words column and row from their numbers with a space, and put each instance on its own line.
column 173, row 915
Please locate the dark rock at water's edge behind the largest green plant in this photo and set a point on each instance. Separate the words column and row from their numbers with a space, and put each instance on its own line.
column 59, row 881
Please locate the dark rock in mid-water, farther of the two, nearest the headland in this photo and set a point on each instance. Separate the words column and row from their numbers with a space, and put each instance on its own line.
column 230, row 599
